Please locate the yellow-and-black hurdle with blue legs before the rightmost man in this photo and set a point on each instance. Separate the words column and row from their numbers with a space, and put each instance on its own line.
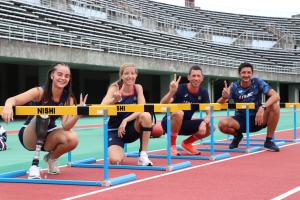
column 248, row 149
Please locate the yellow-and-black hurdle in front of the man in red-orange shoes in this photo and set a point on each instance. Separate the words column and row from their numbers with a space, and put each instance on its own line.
column 194, row 107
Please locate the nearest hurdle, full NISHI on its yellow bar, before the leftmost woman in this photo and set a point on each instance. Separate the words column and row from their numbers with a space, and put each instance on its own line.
column 105, row 111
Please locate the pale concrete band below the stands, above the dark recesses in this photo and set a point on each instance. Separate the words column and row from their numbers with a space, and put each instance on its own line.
column 15, row 51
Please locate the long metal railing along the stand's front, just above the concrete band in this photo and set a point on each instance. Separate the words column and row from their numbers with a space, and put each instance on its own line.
column 35, row 35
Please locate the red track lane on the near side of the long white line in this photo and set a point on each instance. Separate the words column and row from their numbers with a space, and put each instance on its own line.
column 262, row 175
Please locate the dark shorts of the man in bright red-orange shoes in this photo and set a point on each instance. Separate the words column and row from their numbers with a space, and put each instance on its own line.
column 188, row 127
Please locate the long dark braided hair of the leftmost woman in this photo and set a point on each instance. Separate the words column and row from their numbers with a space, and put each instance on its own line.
column 47, row 96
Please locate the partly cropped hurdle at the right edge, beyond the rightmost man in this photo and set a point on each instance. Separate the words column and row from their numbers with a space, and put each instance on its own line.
column 295, row 138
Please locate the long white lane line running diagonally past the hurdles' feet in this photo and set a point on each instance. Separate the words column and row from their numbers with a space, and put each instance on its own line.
column 167, row 174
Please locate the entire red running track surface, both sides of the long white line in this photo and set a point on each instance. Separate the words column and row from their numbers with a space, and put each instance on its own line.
column 262, row 175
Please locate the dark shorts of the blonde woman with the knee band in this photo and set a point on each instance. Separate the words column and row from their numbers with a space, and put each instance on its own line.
column 130, row 136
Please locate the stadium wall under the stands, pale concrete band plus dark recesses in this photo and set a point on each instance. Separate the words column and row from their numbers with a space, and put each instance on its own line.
column 92, row 68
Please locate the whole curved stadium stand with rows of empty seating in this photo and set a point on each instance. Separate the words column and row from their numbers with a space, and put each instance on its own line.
column 151, row 29
